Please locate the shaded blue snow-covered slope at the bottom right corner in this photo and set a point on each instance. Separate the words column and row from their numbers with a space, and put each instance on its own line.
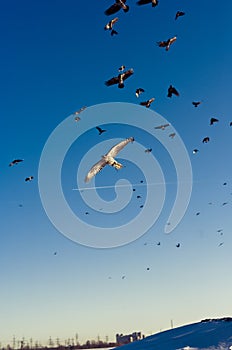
column 212, row 334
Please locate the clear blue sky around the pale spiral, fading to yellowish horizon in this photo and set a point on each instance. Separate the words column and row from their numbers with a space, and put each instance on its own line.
column 55, row 58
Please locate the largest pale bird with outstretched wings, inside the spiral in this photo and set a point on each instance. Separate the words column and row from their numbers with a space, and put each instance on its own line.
column 108, row 158
